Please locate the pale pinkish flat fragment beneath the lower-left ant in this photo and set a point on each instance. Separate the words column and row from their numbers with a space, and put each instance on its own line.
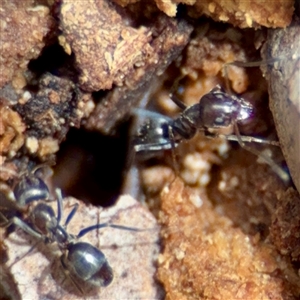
column 132, row 256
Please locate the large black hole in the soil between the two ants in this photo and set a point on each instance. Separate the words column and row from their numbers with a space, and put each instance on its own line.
column 90, row 166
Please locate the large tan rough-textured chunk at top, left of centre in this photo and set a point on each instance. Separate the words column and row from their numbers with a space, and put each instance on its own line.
column 111, row 50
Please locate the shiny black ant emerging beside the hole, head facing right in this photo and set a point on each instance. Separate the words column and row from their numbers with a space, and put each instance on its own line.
column 215, row 110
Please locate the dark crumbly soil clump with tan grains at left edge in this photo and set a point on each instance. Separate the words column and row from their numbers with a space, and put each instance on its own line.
column 40, row 119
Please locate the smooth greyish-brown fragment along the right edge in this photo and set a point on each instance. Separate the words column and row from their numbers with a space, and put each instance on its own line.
column 283, row 77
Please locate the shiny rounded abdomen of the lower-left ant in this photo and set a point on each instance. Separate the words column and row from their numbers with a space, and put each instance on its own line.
column 88, row 263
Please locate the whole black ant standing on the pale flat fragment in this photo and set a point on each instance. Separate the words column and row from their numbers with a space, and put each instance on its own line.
column 79, row 259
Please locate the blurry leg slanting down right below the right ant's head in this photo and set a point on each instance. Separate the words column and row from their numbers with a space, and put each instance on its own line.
column 277, row 169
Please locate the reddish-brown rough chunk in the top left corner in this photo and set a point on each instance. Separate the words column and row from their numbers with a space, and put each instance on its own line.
column 23, row 29
